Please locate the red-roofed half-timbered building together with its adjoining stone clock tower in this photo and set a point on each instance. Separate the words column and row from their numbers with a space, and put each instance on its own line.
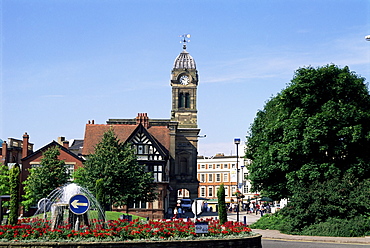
column 168, row 147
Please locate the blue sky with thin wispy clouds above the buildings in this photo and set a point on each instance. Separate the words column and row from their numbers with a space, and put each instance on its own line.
column 64, row 62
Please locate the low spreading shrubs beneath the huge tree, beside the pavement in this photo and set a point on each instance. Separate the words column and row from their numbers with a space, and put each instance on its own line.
column 337, row 198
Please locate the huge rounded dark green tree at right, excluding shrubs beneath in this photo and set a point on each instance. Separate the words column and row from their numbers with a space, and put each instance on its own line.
column 315, row 130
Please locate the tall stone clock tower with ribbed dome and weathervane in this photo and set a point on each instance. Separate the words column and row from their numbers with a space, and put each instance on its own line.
column 184, row 83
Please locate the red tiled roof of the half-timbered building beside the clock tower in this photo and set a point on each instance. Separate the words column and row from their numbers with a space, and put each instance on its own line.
column 94, row 134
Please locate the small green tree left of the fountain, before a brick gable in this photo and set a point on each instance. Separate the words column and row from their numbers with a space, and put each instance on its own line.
column 42, row 180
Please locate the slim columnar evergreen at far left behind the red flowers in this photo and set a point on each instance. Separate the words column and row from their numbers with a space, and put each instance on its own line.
column 14, row 182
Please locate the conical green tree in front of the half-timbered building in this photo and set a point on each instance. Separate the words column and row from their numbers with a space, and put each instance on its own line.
column 123, row 179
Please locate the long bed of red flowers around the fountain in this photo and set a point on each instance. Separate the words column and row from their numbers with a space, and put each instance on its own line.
column 120, row 230
